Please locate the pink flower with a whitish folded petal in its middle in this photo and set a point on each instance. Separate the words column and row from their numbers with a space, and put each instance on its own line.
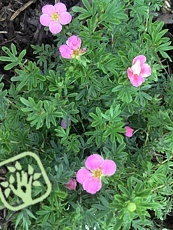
column 139, row 70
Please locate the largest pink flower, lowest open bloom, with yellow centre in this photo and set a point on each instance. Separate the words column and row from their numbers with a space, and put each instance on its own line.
column 96, row 167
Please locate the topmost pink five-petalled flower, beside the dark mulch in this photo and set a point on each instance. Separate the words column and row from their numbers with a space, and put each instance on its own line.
column 54, row 17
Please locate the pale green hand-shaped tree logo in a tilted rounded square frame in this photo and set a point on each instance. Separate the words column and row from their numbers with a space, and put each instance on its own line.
column 23, row 184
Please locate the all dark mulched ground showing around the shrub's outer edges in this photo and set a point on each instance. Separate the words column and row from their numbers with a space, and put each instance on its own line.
column 19, row 24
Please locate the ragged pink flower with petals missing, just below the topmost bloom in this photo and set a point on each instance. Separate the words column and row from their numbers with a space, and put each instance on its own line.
column 72, row 48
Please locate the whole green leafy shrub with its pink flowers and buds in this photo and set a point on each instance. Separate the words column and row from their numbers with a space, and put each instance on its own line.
column 96, row 107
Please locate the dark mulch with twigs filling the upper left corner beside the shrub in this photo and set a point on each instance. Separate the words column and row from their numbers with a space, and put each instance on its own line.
column 19, row 24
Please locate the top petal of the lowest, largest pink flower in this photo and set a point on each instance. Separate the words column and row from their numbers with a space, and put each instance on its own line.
column 94, row 162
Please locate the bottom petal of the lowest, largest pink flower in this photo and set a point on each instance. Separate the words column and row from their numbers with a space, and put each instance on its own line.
column 92, row 185
